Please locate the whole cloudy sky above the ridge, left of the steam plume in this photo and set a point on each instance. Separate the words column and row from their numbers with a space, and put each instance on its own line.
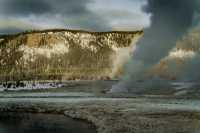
column 95, row 15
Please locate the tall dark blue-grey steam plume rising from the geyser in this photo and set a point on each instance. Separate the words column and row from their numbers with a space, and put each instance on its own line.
column 170, row 20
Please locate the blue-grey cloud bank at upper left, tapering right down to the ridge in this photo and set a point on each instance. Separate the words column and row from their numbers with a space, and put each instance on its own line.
column 72, row 13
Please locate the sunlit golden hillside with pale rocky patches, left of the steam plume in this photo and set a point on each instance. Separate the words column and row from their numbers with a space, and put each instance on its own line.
column 65, row 54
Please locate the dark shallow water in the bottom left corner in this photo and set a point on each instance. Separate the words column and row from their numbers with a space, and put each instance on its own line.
column 42, row 123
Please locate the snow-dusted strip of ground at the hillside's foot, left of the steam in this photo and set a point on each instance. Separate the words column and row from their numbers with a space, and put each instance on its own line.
column 83, row 85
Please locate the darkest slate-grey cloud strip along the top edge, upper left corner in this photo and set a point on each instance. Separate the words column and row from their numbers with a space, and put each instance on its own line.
column 26, row 7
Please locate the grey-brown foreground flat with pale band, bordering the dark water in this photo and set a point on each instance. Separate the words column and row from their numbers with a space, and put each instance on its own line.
column 117, row 115
